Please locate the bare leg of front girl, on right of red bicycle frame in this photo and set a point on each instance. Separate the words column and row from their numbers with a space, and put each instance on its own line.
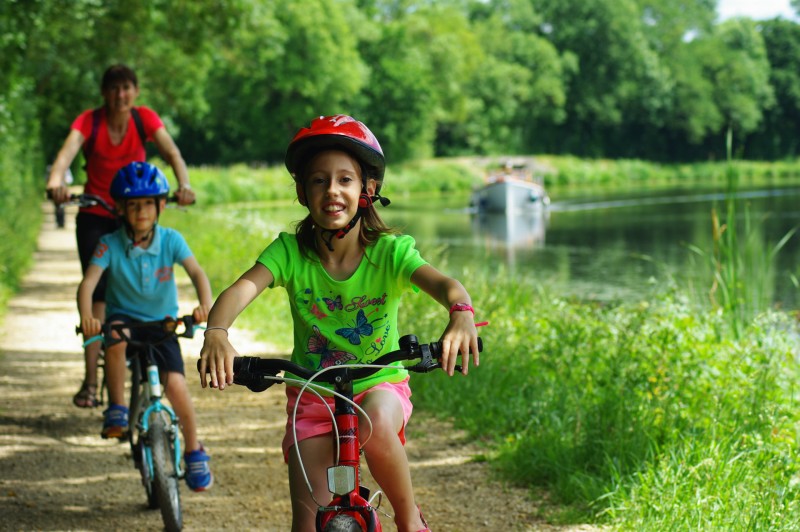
column 387, row 458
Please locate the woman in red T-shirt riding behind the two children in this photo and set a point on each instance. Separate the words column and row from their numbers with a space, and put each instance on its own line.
column 111, row 136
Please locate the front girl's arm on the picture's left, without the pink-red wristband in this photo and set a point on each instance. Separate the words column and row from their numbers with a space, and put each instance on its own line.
column 217, row 352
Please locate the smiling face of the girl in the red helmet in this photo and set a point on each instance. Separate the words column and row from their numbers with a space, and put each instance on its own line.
column 331, row 189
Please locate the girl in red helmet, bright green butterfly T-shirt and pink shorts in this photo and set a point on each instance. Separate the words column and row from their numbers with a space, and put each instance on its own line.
column 345, row 272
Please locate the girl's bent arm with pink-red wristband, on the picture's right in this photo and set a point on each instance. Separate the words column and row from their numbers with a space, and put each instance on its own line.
column 460, row 336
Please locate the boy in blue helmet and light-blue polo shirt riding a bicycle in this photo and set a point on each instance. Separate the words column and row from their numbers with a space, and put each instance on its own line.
column 139, row 258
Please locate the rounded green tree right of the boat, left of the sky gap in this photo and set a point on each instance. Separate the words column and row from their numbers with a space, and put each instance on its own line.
column 620, row 77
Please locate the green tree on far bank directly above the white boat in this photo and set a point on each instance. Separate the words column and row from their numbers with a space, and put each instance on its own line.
column 518, row 85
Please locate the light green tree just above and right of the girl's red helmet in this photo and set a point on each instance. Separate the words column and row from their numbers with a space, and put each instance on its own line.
column 419, row 64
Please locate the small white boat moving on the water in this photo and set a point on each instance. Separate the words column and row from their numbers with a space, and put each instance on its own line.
column 512, row 190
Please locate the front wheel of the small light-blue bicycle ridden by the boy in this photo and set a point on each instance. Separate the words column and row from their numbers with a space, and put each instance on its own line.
column 165, row 476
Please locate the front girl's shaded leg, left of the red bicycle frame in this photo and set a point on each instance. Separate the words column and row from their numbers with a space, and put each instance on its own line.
column 317, row 456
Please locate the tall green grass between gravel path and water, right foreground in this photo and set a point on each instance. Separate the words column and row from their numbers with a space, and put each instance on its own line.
column 644, row 416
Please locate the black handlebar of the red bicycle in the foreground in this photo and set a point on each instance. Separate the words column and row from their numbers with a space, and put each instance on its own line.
column 258, row 374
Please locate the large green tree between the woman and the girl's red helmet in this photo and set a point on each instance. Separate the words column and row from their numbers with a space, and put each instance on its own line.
column 284, row 63
